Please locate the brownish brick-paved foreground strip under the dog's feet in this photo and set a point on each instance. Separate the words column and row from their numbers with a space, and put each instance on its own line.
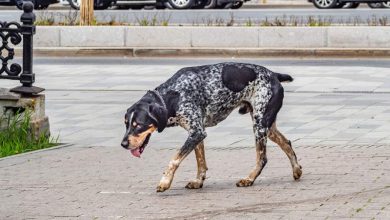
column 107, row 183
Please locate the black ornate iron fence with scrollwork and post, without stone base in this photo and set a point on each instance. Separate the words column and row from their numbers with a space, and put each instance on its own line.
column 14, row 33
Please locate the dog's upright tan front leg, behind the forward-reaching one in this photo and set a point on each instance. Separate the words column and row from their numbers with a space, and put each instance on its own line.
column 202, row 168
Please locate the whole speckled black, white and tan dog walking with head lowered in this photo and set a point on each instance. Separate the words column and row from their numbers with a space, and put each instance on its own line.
column 202, row 96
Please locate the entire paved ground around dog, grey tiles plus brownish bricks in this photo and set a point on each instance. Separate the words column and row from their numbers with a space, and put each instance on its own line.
column 336, row 113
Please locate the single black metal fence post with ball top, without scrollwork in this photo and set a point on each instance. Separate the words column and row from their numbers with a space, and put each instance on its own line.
column 27, row 78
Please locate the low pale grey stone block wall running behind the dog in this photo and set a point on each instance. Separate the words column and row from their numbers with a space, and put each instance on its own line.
column 141, row 41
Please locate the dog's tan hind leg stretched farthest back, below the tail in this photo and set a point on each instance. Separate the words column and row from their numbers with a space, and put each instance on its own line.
column 285, row 144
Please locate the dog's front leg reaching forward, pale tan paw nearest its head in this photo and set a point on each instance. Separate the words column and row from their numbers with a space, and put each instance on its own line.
column 192, row 141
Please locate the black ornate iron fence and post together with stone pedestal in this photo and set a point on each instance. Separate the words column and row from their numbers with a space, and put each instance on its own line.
column 25, row 96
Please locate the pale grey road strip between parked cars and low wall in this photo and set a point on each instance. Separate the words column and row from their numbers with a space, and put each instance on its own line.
column 218, row 17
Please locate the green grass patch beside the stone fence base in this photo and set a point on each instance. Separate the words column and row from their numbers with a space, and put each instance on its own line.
column 16, row 138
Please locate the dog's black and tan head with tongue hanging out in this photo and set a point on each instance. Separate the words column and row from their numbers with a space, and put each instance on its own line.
column 141, row 120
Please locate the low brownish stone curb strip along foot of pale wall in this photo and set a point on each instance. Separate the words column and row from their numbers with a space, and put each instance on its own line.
column 208, row 52
